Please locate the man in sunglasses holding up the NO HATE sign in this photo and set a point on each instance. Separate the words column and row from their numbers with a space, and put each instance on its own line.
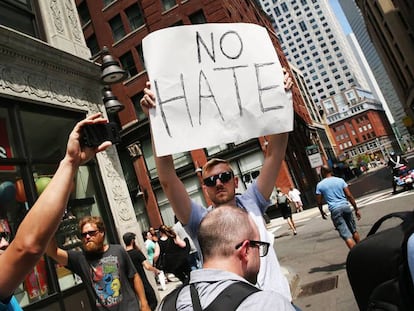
column 220, row 184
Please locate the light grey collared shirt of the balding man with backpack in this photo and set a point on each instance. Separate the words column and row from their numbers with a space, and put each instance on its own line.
column 211, row 282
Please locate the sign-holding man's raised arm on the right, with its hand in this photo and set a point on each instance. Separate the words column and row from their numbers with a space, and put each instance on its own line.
column 275, row 154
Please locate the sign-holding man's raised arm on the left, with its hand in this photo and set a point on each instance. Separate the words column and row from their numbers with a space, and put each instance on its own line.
column 173, row 187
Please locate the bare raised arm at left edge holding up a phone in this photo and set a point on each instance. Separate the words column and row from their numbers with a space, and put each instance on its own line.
column 42, row 221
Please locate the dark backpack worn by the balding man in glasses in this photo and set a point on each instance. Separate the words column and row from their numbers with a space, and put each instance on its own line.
column 229, row 299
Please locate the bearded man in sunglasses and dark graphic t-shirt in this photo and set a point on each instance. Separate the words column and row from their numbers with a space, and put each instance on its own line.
column 107, row 271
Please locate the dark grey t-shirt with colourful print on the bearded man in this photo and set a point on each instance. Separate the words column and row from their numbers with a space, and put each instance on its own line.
column 107, row 278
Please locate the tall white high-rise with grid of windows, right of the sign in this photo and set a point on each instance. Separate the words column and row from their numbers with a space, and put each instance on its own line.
column 314, row 42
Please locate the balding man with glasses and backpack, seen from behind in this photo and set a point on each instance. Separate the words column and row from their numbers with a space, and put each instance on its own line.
column 231, row 250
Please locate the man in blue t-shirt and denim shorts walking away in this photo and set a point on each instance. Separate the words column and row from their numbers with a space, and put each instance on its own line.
column 336, row 193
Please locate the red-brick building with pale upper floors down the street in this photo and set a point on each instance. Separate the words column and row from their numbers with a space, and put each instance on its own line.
column 359, row 126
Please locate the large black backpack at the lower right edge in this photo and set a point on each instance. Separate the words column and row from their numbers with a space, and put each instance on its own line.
column 377, row 267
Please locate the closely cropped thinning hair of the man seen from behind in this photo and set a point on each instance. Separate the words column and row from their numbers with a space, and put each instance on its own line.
column 222, row 229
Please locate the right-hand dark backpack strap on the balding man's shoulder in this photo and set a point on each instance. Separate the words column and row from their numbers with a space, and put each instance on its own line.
column 232, row 296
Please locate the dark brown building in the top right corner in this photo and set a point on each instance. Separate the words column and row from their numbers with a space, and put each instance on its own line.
column 391, row 28
